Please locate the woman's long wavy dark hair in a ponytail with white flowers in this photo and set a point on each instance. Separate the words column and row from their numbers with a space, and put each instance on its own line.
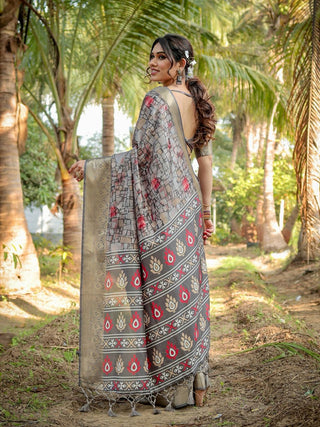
column 177, row 47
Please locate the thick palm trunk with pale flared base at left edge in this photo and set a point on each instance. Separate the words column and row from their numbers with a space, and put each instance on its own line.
column 19, row 266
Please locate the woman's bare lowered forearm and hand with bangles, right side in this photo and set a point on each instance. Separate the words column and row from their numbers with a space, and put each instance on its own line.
column 205, row 180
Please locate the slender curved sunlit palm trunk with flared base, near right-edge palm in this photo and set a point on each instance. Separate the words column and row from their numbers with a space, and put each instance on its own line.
column 272, row 239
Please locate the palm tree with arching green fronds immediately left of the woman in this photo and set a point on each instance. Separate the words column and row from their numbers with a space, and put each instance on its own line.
column 71, row 62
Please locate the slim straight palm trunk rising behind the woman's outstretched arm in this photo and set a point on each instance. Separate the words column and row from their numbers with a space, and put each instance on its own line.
column 108, row 125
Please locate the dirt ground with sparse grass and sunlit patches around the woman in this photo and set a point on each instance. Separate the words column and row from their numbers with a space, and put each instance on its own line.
column 264, row 351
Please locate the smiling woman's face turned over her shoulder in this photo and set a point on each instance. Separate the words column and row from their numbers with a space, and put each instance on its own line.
column 159, row 67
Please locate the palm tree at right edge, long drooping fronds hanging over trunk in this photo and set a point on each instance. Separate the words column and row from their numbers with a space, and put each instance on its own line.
column 302, row 53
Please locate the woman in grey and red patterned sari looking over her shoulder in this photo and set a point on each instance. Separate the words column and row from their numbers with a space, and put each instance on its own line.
column 144, row 332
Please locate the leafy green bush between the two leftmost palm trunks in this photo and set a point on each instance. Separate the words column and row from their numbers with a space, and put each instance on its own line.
column 37, row 169
